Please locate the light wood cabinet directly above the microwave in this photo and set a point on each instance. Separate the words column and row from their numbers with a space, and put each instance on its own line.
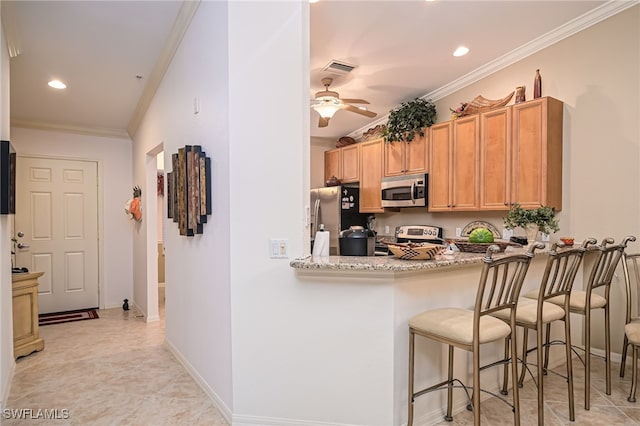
column 403, row 158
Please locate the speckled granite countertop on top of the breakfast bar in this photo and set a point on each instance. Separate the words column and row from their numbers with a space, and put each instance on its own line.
column 389, row 263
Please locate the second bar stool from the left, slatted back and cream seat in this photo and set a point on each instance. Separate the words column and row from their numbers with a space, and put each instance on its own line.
column 534, row 313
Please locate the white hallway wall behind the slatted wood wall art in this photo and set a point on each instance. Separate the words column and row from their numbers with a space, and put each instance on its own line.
column 197, row 272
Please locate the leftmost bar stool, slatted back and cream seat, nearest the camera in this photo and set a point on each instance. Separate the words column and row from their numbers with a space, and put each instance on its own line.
column 498, row 289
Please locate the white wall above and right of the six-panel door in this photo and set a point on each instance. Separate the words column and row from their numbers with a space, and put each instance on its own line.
column 114, row 156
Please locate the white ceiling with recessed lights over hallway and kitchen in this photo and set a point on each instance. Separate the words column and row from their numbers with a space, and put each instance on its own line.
column 402, row 50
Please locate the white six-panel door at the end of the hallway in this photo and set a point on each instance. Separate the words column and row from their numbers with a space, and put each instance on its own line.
column 57, row 211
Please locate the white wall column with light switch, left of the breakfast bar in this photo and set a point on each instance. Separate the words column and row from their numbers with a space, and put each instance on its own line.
column 269, row 181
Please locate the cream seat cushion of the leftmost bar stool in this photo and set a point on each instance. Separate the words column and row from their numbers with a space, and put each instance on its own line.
column 456, row 325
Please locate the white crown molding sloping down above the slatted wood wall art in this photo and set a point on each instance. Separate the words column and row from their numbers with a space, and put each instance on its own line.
column 180, row 26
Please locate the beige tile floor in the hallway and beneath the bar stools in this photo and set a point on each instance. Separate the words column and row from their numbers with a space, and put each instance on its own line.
column 116, row 371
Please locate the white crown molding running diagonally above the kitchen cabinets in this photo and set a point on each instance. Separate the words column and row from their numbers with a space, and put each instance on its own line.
column 570, row 28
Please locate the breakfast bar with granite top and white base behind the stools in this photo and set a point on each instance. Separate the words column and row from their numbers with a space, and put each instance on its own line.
column 358, row 320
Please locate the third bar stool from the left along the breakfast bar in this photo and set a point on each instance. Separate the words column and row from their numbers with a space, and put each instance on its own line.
column 583, row 302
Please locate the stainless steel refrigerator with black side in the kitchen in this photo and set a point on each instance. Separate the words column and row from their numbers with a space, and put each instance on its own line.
column 337, row 208
